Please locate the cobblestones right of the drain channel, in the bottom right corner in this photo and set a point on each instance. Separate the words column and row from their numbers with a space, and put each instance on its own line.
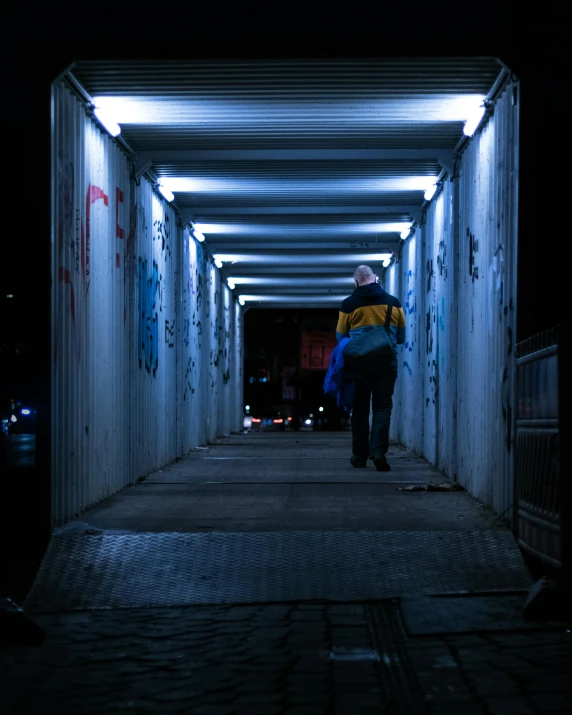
column 495, row 673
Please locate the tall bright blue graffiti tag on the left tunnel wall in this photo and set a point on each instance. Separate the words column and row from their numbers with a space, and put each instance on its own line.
column 148, row 319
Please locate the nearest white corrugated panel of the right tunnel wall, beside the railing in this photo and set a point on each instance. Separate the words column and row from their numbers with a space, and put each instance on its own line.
column 487, row 296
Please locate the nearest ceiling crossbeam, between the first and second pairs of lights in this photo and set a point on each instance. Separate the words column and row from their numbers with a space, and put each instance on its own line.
column 172, row 156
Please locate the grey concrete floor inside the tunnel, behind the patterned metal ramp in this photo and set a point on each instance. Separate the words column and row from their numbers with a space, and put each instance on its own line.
column 286, row 481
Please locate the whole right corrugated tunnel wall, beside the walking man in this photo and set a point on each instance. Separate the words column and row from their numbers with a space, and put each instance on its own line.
column 457, row 276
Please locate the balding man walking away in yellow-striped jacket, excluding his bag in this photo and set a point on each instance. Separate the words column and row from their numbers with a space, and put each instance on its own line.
column 367, row 306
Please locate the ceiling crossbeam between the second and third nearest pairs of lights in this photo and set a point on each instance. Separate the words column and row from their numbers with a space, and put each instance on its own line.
column 200, row 213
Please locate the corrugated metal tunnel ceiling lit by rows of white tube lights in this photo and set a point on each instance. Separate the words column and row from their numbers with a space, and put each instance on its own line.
column 295, row 171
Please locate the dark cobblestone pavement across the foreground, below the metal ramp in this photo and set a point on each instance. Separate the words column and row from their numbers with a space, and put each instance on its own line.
column 299, row 659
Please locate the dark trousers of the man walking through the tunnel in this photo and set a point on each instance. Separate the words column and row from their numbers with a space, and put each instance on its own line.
column 376, row 388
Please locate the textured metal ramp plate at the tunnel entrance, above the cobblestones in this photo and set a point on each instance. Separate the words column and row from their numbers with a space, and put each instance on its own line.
column 174, row 569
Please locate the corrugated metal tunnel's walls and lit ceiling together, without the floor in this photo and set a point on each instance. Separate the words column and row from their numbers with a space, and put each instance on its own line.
column 185, row 193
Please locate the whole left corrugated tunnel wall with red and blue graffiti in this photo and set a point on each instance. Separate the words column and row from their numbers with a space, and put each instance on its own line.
column 140, row 320
